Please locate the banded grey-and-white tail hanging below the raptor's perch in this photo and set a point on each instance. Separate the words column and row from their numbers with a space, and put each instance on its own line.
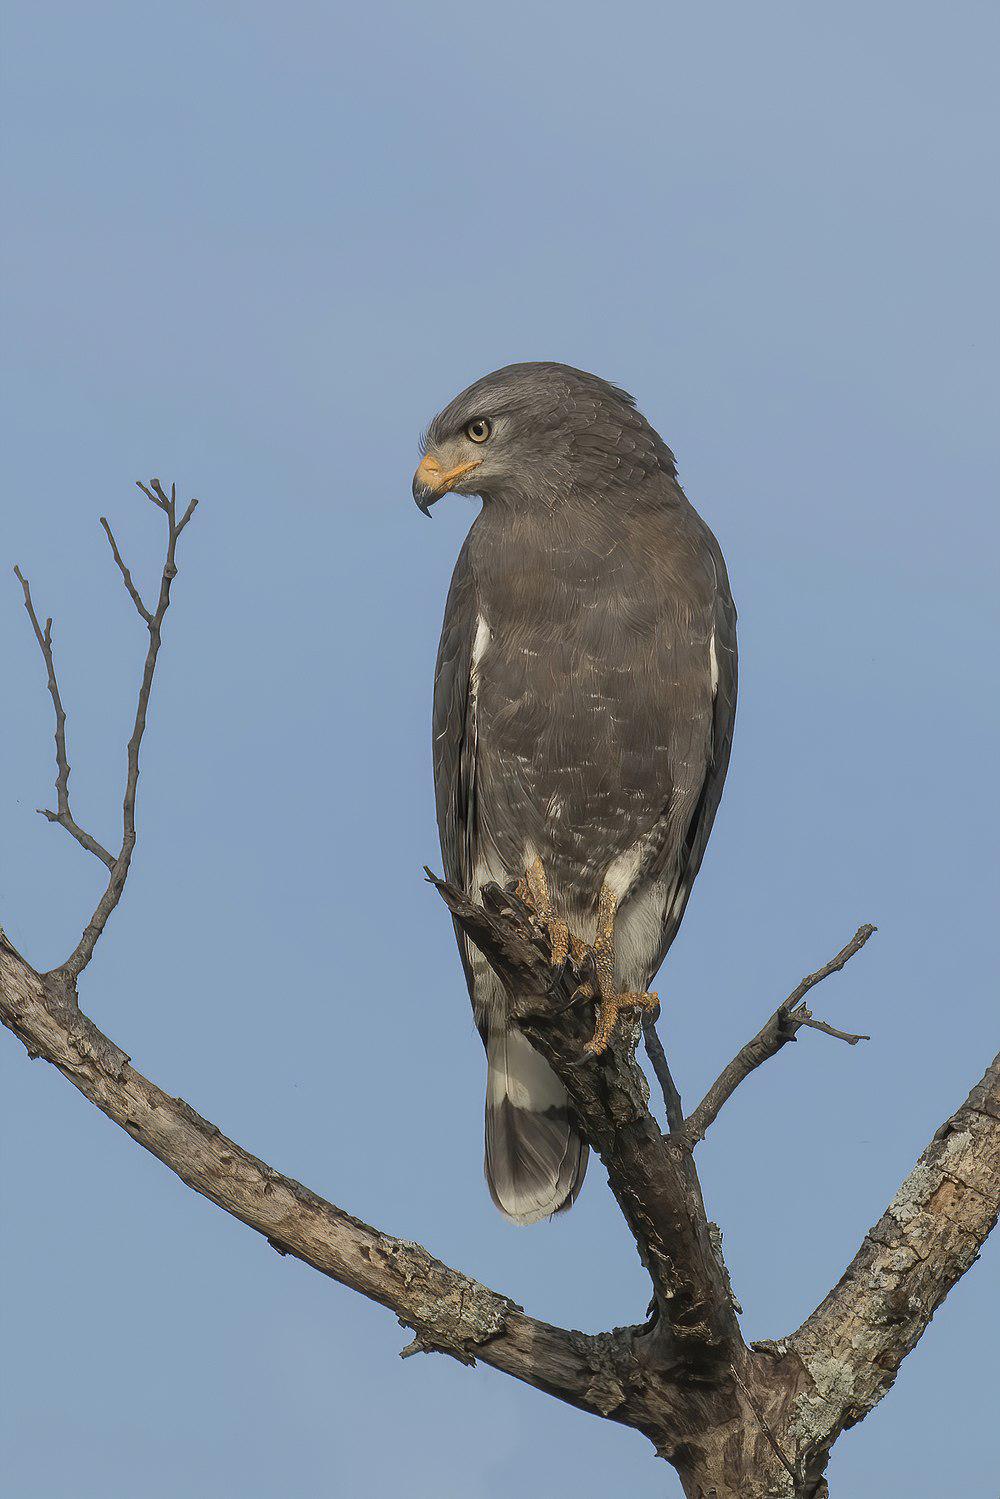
column 536, row 1159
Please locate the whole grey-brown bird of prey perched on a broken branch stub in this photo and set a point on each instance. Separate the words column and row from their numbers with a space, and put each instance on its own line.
column 582, row 719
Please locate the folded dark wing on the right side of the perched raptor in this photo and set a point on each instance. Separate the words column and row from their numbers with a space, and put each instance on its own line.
column 698, row 795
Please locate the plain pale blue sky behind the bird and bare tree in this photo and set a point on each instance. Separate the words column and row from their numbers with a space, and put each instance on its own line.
column 253, row 250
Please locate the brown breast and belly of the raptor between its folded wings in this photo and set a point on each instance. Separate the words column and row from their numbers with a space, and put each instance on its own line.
column 569, row 698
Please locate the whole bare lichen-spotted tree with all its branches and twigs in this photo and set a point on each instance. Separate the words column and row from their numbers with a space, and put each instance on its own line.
column 737, row 1422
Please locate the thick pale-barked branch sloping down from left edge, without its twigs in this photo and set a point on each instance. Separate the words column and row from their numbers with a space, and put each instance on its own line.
column 448, row 1311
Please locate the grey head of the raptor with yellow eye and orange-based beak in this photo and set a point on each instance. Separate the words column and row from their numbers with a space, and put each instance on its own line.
column 530, row 432
